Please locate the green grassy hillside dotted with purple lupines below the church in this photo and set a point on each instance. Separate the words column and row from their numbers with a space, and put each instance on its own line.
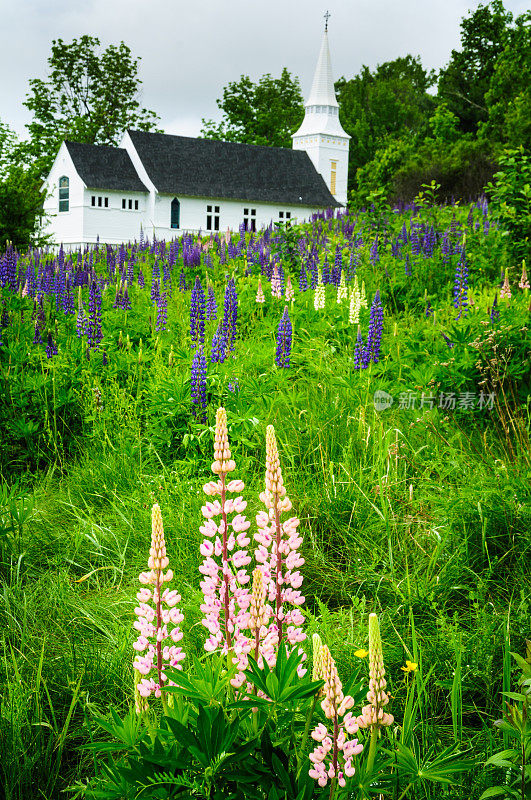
column 419, row 511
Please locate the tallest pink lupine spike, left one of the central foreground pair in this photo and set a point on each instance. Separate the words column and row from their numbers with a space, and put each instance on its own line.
column 226, row 597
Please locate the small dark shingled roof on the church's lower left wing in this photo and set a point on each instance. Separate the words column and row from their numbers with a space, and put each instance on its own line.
column 102, row 167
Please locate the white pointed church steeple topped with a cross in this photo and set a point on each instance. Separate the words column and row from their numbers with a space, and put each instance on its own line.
column 321, row 133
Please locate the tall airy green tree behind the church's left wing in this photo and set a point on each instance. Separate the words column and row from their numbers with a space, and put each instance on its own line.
column 89, row 96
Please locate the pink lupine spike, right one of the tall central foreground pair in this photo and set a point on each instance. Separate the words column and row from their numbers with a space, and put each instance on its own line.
column 279, row 558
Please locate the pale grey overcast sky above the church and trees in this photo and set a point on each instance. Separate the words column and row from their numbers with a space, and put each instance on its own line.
column 191, row 50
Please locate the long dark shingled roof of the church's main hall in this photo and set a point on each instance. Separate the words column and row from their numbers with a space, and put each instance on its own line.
column 205, row 168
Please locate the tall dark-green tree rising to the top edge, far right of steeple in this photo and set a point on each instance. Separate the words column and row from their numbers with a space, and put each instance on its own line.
column 464, row 83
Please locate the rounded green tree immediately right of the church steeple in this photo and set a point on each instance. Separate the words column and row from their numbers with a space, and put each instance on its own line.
column 391, row 102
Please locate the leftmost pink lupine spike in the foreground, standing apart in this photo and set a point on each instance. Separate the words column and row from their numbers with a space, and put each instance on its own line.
column 156, row 645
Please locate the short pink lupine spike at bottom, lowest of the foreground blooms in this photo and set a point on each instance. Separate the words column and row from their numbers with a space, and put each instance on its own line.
column 332, row 757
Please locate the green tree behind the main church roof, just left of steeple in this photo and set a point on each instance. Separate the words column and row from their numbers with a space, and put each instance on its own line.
column 266, row 113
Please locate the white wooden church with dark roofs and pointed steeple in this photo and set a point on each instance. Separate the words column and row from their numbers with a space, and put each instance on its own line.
column 168, row 185
